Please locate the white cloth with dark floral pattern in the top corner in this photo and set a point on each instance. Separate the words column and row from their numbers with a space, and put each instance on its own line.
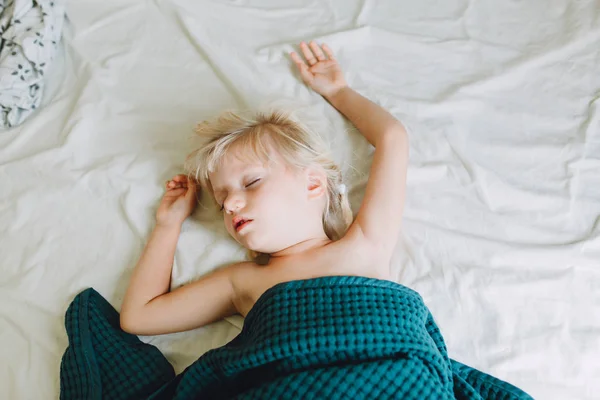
column 29, row 34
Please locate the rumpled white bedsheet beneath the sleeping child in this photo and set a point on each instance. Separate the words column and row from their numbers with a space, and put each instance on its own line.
column 501, row 232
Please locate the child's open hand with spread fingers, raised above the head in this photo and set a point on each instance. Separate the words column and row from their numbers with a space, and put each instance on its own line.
column 323, row 75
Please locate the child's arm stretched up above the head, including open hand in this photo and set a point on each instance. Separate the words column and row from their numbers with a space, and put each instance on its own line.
column 380, row 214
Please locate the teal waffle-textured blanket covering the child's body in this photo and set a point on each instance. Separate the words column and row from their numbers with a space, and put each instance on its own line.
column 329, row 338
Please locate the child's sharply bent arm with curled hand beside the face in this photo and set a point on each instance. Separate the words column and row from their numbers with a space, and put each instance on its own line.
column 149, row 308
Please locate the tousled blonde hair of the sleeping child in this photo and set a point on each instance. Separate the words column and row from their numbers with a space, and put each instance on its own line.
column 299, row 146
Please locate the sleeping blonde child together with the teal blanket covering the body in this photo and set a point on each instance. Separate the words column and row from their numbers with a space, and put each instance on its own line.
column 323, row 318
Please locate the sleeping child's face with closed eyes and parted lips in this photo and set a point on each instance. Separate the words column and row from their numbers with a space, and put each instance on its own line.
column 278, row 200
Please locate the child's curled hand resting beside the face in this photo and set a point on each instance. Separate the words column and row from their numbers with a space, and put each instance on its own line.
column 178, row 202
